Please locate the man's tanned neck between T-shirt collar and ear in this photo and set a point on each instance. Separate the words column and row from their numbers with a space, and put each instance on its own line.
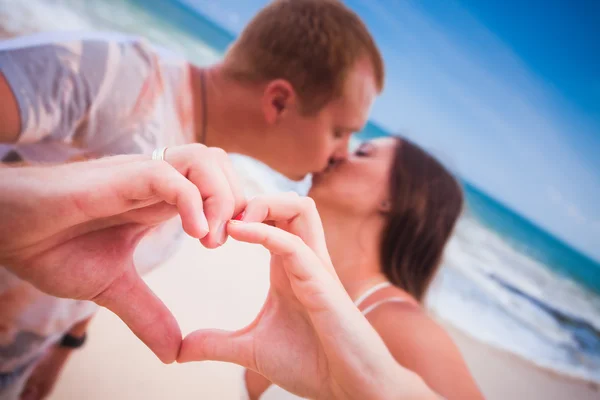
column 231, row 110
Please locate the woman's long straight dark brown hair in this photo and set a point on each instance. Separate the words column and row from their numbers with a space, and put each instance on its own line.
column 426, row 201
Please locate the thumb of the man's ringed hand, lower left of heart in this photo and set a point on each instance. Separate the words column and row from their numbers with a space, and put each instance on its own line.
column 144, row 313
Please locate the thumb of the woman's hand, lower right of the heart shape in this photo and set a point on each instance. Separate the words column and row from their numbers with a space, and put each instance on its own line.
column 218, row 345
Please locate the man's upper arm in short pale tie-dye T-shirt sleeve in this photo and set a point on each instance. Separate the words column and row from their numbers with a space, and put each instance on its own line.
column 52, row 87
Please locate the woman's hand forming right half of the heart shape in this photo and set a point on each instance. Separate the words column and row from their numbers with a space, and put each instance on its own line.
column 309, row 338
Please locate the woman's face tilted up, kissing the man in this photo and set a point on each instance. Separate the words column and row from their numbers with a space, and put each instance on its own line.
column 360, row 184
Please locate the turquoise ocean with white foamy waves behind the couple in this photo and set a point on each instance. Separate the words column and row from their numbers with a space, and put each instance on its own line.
column 504, row 280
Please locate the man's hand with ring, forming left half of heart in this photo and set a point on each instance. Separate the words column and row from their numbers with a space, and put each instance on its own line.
column 71, row 230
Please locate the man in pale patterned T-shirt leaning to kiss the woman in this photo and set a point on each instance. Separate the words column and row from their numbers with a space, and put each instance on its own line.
column 291, row 90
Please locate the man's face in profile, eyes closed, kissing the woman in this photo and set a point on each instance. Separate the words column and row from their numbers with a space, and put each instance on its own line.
column 308, row 143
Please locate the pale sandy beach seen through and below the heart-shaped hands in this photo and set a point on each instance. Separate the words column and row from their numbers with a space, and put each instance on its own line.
column 225, row 289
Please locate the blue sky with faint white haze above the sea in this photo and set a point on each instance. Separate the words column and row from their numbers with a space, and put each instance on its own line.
column 505, row 92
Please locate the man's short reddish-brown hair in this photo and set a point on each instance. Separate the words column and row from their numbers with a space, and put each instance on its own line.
column 312, row 44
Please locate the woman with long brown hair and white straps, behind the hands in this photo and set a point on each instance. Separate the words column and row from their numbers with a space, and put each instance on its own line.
column 387, row 213
